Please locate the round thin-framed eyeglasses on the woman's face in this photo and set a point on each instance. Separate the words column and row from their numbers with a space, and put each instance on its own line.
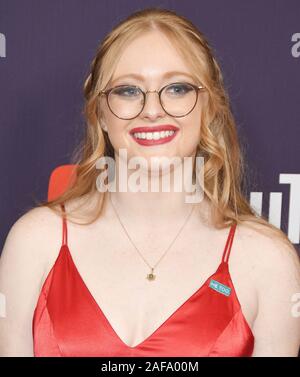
column 127, row 101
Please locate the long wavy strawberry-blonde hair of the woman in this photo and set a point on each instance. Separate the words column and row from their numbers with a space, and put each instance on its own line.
column 224, row 166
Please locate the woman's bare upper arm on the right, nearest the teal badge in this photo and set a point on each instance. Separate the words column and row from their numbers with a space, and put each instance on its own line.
column 277, row 325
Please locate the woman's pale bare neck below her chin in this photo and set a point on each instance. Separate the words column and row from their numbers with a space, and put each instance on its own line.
column 155, row 208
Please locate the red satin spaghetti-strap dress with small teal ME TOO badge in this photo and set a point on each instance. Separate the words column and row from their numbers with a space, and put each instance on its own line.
column 67, row 320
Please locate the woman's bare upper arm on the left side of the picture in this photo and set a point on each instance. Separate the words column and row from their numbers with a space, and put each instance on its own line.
column 22, row 264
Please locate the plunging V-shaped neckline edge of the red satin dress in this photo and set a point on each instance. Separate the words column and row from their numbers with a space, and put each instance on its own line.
column 164, row 323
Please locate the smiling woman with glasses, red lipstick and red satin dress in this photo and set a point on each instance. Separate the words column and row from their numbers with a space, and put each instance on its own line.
column 149, row 273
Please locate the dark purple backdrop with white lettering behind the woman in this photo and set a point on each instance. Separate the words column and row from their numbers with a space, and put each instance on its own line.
column 46, row 48
